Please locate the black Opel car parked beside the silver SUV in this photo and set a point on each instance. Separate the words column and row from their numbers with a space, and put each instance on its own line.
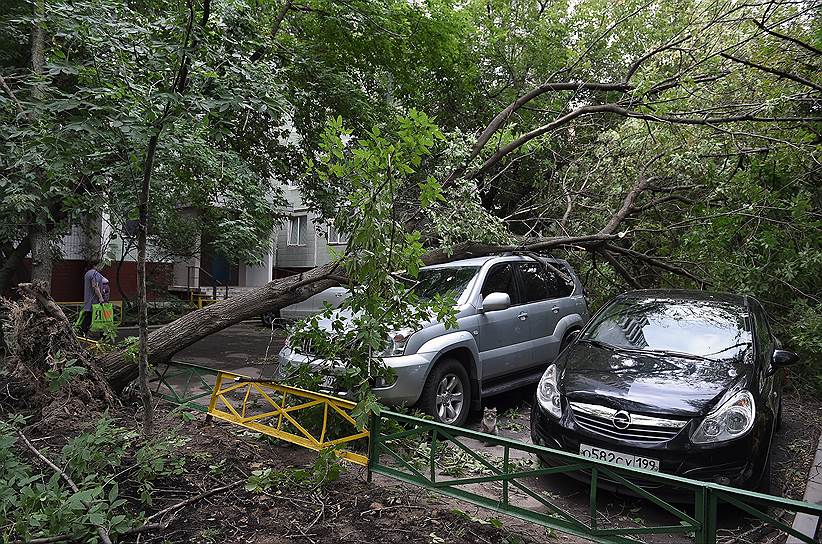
column 682, row 382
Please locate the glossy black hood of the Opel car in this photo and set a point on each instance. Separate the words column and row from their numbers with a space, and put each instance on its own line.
column 644, row 383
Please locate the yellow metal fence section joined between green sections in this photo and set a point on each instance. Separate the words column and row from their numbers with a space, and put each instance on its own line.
column 251, row 404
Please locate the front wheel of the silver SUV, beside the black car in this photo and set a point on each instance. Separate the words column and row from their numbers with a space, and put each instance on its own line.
column 447, row 379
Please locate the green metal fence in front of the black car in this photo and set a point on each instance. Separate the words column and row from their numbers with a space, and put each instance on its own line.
column 395, row 452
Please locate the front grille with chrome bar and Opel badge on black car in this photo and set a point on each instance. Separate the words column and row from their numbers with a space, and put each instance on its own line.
column 600, row 420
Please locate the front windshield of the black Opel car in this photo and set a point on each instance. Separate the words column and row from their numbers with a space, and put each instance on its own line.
column 701, row 328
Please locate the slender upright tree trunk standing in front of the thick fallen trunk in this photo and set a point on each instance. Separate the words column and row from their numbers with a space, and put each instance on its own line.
column 142, row 313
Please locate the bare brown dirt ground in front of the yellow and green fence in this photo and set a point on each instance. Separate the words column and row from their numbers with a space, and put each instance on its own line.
column 347, row 510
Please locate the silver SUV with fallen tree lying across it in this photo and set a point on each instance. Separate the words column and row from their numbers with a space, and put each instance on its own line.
column 514, row 315
